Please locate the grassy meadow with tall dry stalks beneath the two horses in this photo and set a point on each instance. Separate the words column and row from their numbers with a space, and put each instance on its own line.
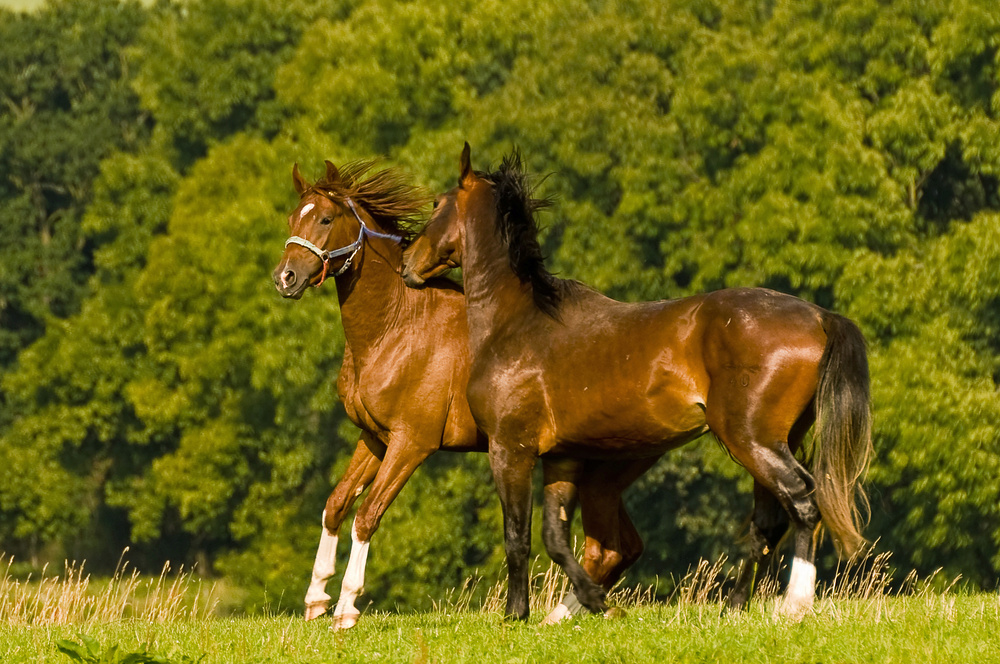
column 864, row 615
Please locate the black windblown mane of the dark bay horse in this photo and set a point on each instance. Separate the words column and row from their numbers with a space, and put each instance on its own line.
column 516, row 207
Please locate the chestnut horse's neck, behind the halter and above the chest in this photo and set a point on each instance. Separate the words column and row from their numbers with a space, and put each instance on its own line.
column 371, row 293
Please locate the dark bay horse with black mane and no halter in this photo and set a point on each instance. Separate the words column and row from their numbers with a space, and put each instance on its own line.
column 561, row 372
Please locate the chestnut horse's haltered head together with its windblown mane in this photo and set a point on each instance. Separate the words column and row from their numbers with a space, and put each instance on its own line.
column 327, row 228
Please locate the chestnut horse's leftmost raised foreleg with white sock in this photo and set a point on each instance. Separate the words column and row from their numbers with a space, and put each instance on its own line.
column 360, row 471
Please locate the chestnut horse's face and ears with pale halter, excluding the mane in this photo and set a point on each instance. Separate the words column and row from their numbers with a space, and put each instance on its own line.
column 319, row 221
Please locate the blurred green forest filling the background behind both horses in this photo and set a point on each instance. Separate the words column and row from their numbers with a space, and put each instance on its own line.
column 157, row 393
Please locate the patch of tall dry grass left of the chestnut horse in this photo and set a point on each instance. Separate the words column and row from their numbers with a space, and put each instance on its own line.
column 73, row 598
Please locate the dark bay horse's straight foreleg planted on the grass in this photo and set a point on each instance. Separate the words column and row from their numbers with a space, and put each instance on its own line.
column 512, row 476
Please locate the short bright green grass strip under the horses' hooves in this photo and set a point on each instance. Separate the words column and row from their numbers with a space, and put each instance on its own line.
column 928, row 627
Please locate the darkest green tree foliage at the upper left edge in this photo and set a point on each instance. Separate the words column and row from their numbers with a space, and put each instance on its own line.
column 65, row 104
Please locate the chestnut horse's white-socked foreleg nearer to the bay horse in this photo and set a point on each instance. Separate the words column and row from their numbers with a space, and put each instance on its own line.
column 400, row 462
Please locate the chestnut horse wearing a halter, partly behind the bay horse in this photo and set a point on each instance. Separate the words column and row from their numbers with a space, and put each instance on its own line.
column 404, row 375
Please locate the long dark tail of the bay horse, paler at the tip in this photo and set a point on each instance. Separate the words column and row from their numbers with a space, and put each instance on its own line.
column 842, row 438
